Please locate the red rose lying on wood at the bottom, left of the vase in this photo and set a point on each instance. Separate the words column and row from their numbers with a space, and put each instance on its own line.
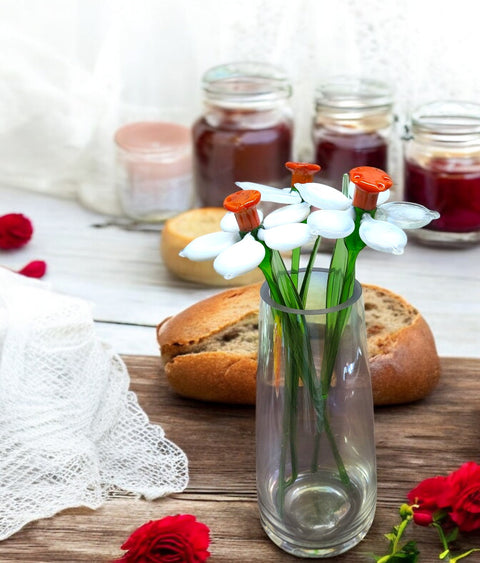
column 173, row 539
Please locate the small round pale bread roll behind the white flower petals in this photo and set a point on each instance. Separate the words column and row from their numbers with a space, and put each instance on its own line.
column 182, row 229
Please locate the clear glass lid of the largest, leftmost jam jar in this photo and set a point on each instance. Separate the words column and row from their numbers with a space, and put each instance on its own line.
column 243, row 82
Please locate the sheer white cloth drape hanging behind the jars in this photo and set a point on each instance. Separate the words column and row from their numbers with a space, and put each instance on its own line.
column 71, row 71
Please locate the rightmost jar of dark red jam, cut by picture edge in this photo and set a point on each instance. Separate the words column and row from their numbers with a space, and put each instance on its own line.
column 442, row 171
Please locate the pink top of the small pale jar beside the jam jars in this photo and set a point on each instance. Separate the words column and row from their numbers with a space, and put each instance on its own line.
column 145, row 137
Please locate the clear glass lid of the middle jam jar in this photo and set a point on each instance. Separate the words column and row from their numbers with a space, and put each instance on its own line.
column 353, row 93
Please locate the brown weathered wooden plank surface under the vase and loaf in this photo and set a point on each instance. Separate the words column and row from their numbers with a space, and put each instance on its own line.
column 414, row 442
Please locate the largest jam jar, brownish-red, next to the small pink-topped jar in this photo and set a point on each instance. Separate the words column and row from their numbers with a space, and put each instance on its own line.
column 245, row 132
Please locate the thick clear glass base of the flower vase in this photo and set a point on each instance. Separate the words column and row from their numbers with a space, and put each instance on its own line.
column 322, row 517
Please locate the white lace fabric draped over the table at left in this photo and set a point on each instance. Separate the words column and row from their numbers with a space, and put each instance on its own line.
column 71, row 432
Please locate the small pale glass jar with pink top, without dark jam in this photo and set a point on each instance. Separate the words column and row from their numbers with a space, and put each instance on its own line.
column 153, row 170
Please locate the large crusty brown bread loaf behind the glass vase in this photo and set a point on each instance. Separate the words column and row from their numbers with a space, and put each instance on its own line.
column 209, row 350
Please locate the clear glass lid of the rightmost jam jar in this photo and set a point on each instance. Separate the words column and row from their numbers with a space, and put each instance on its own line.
column 453, row 120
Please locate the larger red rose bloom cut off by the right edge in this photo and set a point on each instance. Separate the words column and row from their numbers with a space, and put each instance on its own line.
column 464, row 497
